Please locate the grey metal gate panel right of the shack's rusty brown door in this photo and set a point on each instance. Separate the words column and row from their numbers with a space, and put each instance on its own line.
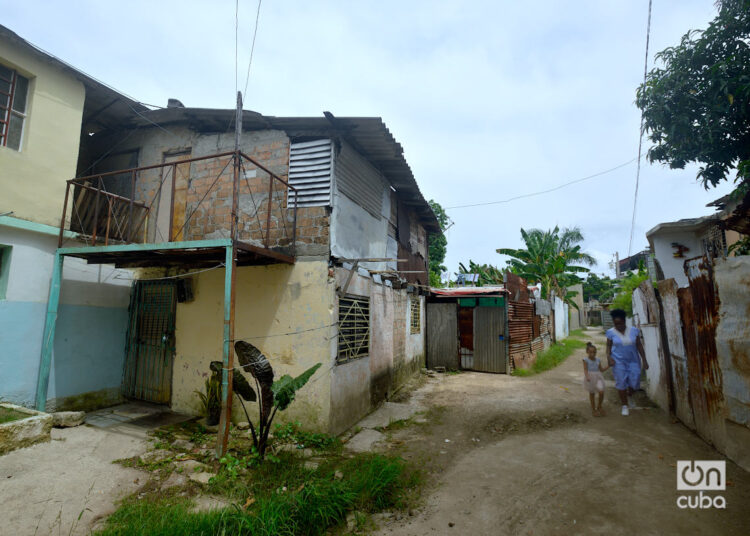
column 489, row 340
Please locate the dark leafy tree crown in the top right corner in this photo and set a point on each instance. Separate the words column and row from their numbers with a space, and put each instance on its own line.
column 696, row 107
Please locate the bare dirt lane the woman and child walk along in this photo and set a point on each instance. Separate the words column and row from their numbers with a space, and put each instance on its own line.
column 511, row 455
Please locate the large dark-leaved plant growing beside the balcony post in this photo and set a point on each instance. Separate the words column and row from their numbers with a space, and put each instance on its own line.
column 274, row 395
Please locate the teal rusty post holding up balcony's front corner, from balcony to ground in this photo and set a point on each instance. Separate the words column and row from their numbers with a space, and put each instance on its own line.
column 227, row 352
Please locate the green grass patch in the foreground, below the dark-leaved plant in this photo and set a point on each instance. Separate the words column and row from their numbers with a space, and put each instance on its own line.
column 289, row 499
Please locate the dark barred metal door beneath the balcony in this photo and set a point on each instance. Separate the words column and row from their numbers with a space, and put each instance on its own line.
column 149, row 351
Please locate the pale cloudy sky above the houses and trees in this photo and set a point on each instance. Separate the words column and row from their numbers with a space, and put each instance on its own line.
column 491, row 100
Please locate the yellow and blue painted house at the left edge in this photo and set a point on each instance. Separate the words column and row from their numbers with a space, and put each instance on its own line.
column 46, row 108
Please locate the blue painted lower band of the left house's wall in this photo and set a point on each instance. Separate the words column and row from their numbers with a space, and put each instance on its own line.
column 88, row 354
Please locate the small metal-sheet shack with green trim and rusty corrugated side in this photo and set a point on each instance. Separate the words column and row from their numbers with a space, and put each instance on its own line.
column 487, row 329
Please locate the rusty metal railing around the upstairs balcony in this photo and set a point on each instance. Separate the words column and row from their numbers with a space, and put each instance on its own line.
column 225, row 195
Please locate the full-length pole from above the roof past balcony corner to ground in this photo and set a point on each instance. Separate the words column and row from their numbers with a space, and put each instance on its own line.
column 230, row 275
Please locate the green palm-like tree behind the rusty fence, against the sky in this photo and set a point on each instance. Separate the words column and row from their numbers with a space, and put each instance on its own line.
column 552, row 258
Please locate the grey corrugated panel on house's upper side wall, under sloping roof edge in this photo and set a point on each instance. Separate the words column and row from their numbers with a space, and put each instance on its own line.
column 359, row 180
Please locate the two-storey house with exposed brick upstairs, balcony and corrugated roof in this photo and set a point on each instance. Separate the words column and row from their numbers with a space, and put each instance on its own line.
column 308, row 240
